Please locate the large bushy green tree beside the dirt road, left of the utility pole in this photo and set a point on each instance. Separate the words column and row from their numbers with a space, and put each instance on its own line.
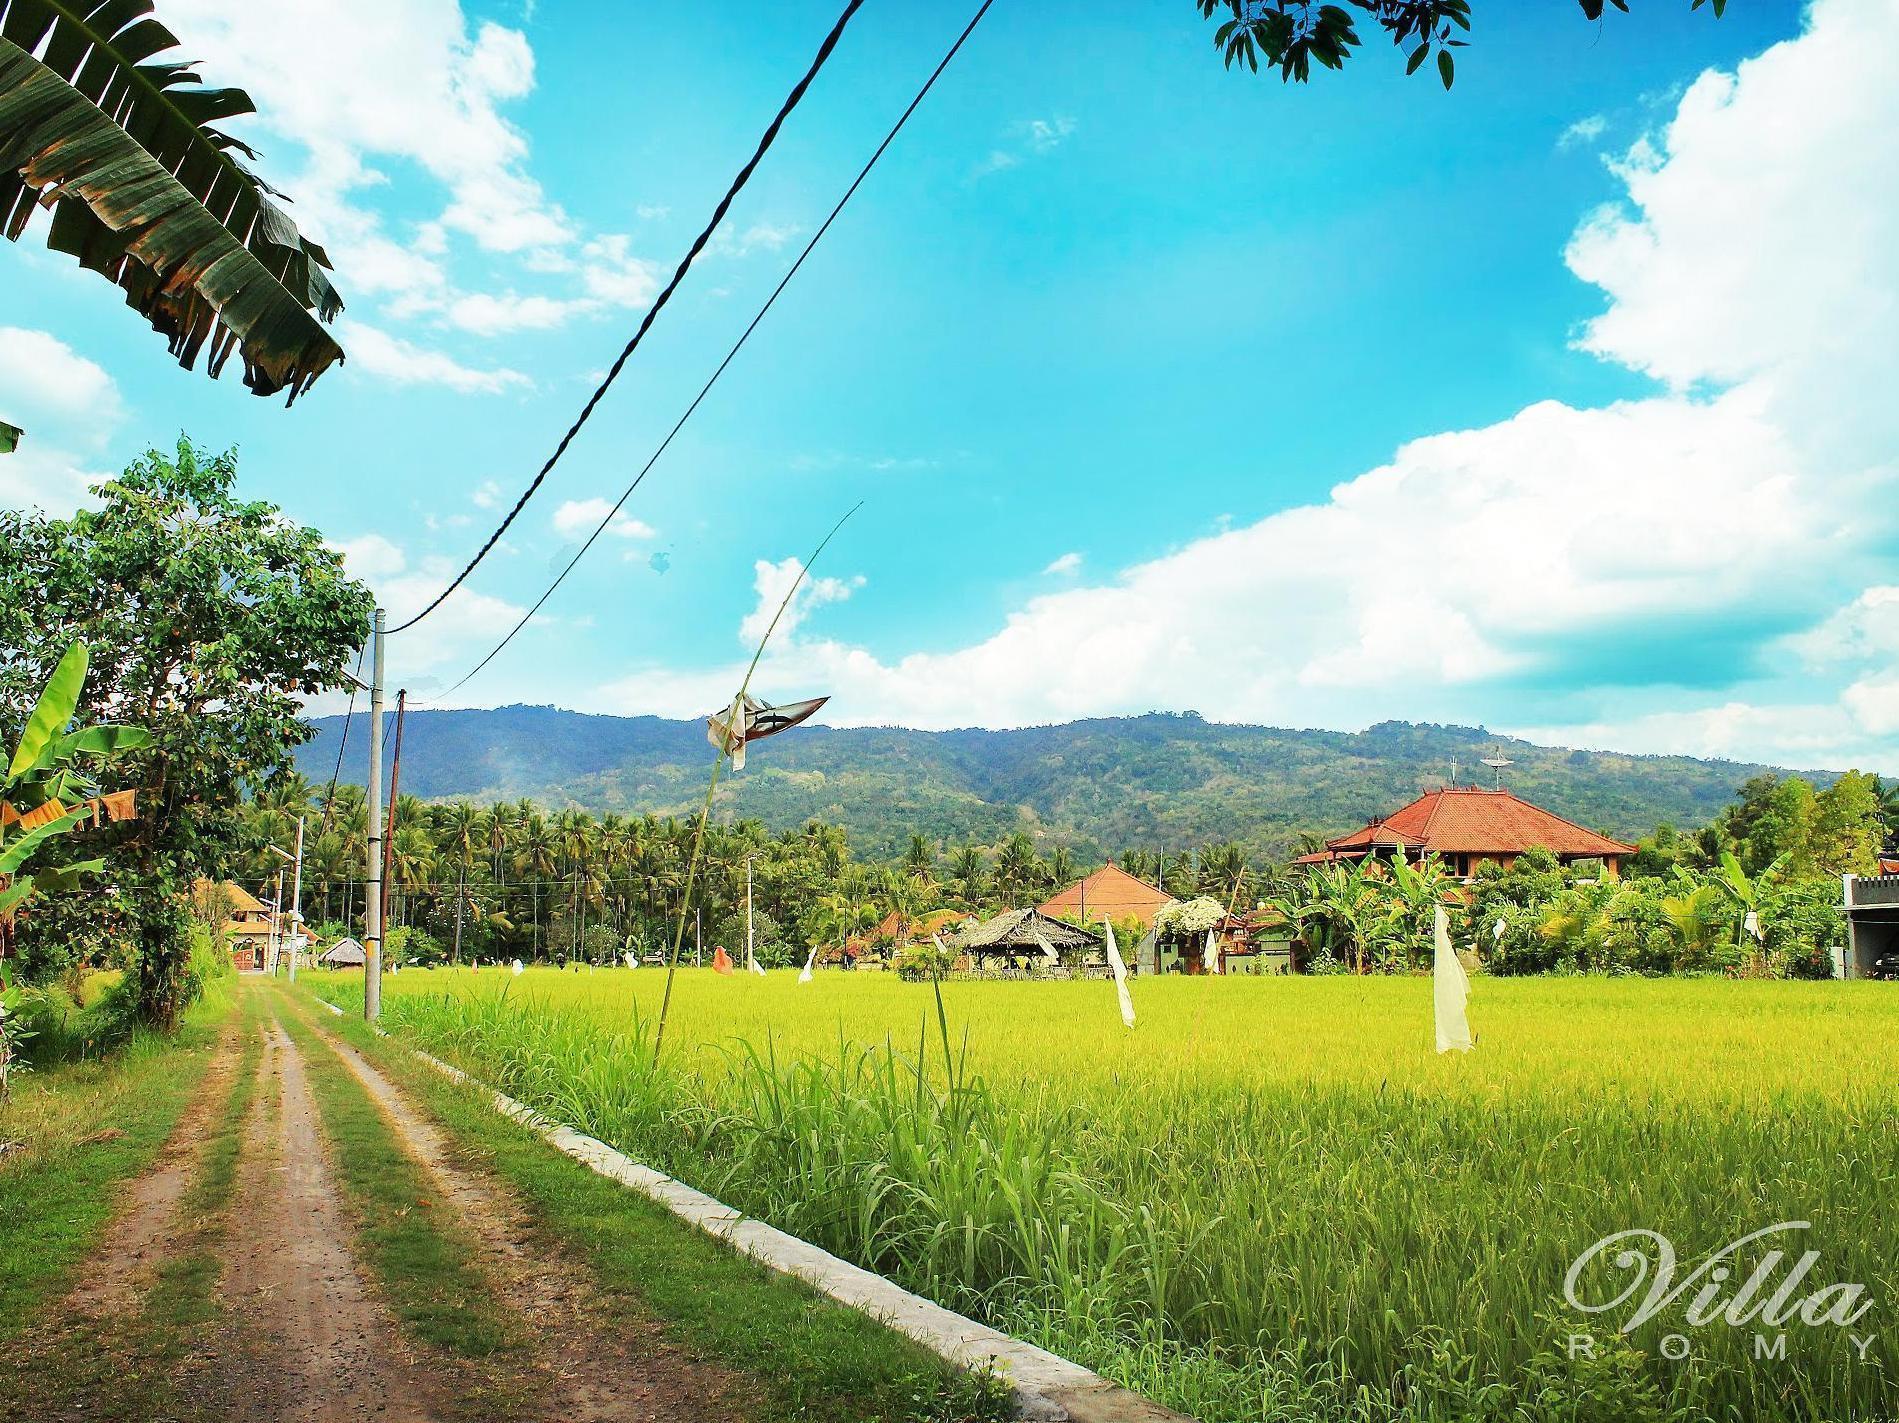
column 212, row 620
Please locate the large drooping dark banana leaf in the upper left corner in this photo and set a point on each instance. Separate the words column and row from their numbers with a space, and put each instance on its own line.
column 109, row 132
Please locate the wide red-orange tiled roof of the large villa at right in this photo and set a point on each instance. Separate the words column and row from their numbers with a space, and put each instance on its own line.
column 1467, row 827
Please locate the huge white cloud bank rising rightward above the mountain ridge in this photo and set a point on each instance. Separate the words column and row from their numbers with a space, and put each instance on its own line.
column 1750, row 273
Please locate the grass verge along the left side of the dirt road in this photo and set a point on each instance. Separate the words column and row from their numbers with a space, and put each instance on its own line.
column 77, row 1135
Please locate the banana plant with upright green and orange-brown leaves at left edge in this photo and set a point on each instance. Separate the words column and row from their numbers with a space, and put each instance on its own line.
column 47, row 793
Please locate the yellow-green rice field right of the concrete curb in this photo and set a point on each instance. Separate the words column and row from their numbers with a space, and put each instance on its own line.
column 1271, row 1200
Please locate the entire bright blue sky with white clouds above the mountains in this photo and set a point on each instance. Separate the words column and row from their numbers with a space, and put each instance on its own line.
column 1161, row 387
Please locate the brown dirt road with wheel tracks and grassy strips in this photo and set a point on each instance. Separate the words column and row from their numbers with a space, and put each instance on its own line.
column 291, row 1323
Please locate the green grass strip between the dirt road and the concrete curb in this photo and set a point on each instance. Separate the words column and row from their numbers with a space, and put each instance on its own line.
column 810, row 1357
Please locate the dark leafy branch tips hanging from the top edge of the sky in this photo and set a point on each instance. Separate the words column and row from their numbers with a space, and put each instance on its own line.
column 1294, row 35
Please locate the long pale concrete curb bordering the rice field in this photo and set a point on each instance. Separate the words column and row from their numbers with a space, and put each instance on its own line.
column 1049, row 1390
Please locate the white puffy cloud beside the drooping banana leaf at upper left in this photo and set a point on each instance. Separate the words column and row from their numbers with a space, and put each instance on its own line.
column 430, row 90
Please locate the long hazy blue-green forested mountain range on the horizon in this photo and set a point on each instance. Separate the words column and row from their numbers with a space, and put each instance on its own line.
column 1165, row 780
